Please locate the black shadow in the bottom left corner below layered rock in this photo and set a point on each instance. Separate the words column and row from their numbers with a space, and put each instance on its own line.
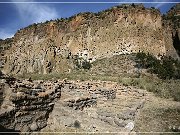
column 6, row 131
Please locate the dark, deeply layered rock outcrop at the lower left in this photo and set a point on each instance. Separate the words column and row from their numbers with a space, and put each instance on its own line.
column 26, row 105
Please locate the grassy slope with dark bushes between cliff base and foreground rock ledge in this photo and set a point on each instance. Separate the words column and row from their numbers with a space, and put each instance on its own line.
column 166, row 88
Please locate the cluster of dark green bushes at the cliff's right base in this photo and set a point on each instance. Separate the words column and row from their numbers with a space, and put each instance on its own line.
column 165, row 67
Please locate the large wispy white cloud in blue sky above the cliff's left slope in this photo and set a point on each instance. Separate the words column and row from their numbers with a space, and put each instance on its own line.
column 36, row 12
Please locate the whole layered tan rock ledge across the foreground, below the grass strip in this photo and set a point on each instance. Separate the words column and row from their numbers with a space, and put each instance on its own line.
column 30, row 106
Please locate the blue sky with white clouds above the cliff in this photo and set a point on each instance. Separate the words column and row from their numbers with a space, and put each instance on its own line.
column 14, row 16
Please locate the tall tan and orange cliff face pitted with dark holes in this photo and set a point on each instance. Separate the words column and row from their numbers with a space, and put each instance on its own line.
column 52, row 46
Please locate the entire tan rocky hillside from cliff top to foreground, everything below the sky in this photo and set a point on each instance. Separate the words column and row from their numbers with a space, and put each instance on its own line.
column 41, row 92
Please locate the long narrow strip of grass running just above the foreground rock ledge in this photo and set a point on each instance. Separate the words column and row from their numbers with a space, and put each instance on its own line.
column 162, row 88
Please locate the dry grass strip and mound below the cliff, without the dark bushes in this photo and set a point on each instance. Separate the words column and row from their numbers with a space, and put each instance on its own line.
column 117, row 69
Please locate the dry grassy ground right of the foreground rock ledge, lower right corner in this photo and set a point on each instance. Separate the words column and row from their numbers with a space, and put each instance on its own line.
column 158, row 115
